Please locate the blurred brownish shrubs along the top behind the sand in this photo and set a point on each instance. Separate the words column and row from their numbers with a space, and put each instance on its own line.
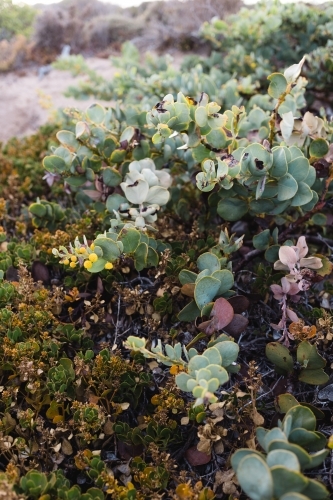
column 38, row 34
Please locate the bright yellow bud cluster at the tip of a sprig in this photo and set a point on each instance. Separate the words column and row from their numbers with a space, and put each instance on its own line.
column 80, row 254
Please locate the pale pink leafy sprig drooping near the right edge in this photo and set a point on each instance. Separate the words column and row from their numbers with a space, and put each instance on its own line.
column 293, row 259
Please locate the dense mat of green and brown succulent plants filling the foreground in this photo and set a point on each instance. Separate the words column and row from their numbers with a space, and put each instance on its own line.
column 166, row 289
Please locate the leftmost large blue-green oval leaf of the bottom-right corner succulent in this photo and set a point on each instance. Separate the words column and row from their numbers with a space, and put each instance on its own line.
column 255, row 478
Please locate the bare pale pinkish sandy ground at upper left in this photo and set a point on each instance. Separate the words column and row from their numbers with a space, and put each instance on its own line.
column 22, row 94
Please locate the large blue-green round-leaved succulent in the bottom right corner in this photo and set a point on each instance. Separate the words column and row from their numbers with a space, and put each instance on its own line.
column 277, row 474
